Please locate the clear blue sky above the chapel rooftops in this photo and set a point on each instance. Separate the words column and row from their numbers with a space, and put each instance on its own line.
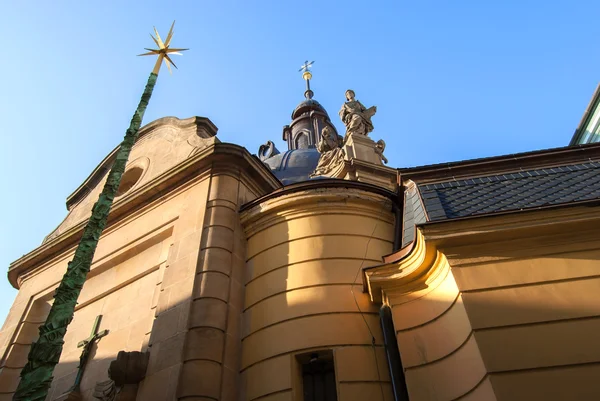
column 452, row 81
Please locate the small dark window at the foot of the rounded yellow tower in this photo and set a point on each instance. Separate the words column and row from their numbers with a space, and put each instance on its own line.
column 318, row 376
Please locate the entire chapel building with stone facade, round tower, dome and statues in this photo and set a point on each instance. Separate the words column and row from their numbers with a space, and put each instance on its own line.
column 321, row 273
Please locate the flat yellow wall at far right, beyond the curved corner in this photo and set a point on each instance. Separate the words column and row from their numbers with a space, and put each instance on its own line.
column 536, row 321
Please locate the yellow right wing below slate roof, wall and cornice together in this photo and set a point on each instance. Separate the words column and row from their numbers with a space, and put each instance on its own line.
column 499, row 308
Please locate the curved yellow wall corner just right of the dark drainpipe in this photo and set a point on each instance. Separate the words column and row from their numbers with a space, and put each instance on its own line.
column 439, row 353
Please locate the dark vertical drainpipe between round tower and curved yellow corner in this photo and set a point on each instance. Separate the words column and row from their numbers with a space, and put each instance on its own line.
column 393, row 354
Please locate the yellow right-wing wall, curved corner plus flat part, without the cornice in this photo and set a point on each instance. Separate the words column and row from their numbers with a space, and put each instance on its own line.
column 520, row 329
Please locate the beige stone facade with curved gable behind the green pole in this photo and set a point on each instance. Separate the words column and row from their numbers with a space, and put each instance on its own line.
column 166, row 276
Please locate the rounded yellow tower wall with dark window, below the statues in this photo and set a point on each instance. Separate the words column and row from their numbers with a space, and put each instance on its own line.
column 304, row 255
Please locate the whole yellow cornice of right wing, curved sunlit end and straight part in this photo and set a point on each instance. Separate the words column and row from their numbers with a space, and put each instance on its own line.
column 481, row 240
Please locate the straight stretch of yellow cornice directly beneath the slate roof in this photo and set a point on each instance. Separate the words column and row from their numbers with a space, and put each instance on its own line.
column 526, row 234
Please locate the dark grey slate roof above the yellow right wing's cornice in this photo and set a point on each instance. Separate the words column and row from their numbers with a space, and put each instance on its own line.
column 508, row 192
